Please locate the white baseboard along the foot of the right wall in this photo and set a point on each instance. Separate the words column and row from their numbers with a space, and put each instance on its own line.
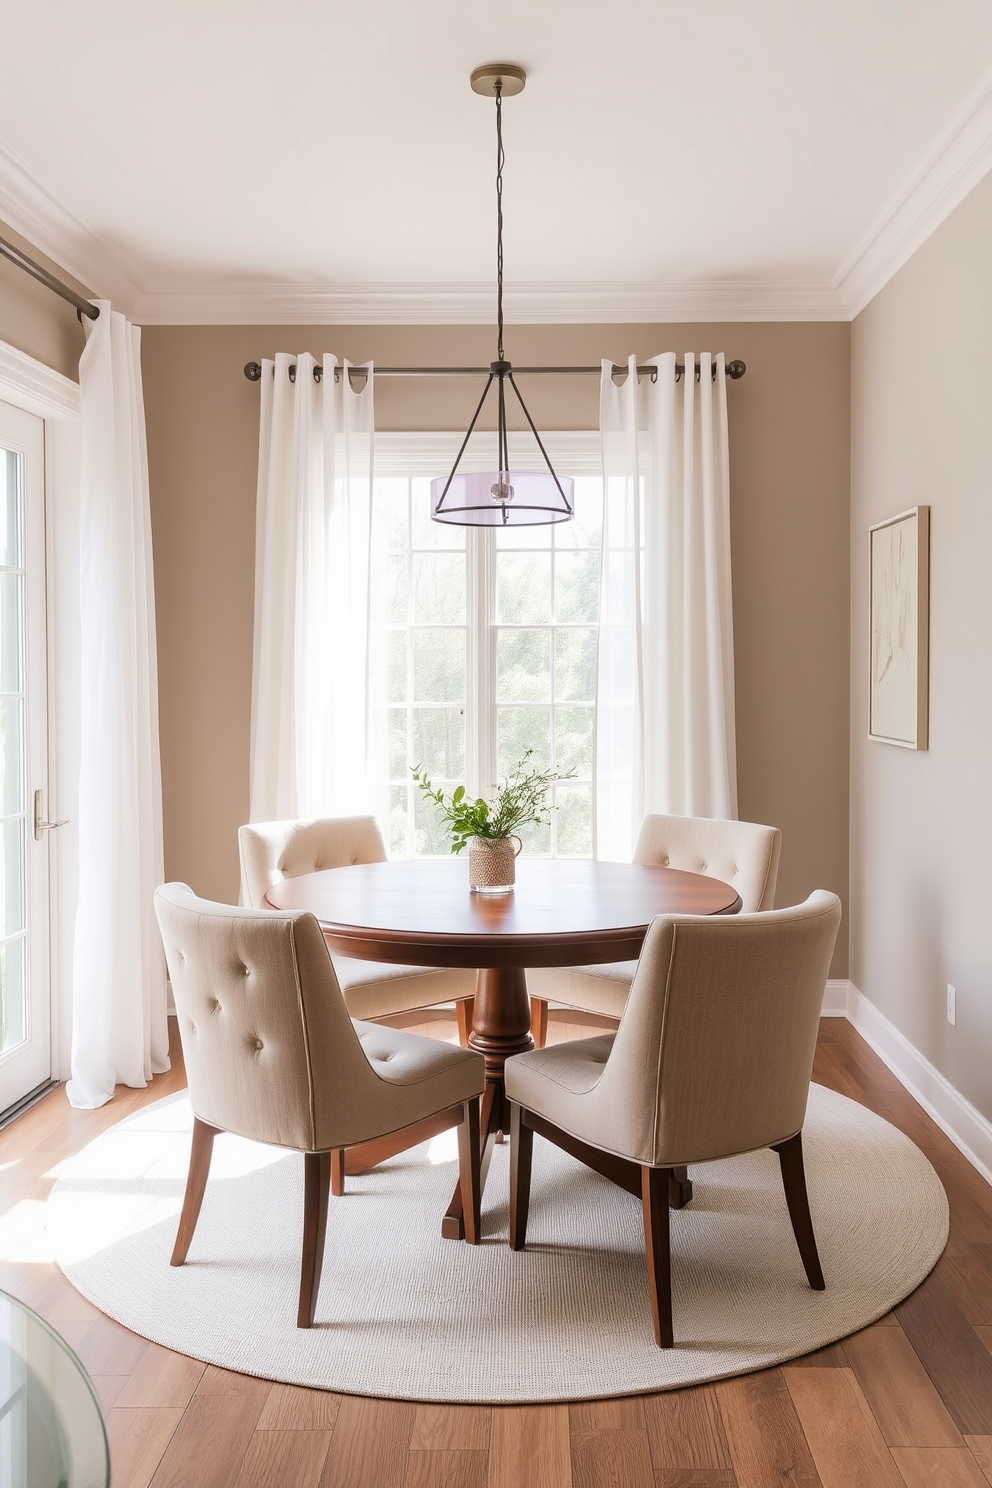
column 969, row 1130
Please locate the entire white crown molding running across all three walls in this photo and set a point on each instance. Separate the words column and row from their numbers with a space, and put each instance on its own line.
column 948, row 172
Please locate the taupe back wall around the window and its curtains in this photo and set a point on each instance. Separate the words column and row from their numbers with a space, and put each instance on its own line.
column 790, row 480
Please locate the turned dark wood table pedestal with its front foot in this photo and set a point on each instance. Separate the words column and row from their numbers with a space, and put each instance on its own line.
column 500, row 1027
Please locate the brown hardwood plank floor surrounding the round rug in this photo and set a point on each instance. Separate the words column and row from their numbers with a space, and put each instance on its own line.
column 906, row 1404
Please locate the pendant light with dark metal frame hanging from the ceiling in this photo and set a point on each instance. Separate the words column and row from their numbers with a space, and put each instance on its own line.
column 502, row 498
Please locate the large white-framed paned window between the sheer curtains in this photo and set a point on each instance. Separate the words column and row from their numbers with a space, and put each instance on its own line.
column 484, row 645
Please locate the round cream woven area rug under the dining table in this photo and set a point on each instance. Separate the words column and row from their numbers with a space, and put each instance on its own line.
column 407, row 1315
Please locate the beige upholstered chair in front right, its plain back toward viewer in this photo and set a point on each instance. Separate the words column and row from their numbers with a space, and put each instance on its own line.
column 713, row 1057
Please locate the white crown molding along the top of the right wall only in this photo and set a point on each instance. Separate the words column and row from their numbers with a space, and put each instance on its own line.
column 957, row 161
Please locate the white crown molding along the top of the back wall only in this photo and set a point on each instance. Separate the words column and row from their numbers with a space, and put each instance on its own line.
column 475, row 304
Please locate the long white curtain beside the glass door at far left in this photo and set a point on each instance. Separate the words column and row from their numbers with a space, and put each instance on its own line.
column 120, row 998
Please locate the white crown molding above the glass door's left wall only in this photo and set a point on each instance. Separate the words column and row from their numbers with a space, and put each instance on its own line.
column 35, row 214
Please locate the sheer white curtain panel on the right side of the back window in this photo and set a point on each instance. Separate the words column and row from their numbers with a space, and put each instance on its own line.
column 666, row 722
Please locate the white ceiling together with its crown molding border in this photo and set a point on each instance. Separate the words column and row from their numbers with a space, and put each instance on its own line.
column 246, row 161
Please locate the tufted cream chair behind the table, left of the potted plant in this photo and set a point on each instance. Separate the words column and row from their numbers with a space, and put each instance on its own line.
column 277, row 850
